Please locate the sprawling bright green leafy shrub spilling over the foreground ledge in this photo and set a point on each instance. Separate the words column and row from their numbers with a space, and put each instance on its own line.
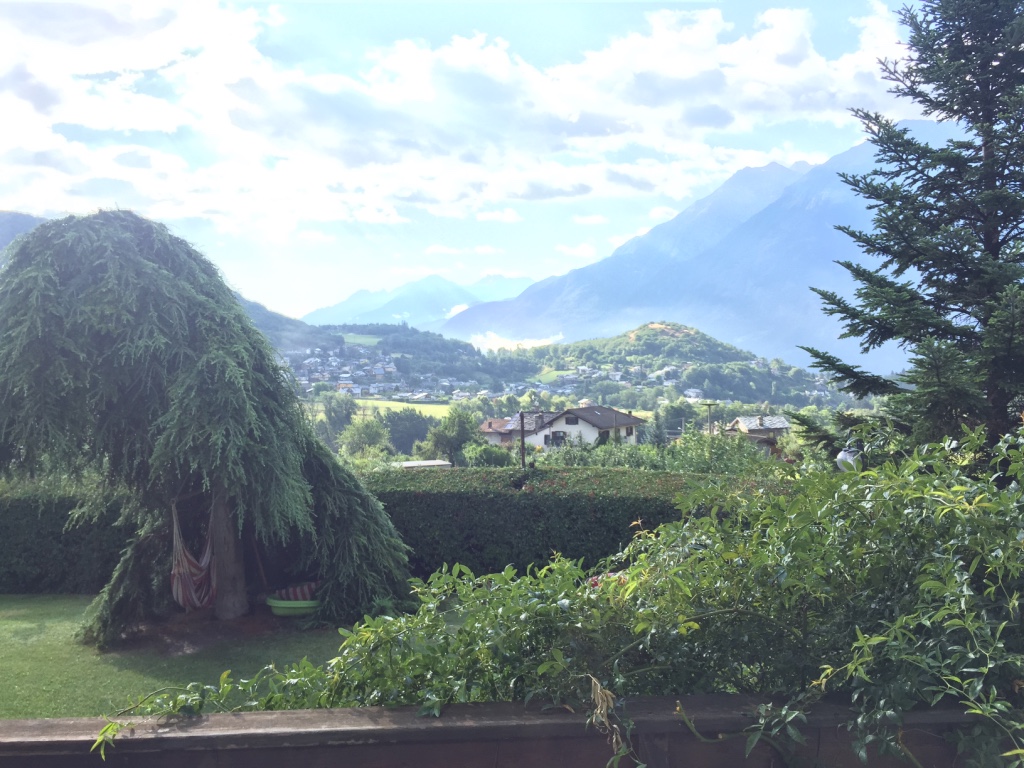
column 893, row 588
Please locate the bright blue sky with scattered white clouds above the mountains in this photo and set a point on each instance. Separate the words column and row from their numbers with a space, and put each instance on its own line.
column 315, row 149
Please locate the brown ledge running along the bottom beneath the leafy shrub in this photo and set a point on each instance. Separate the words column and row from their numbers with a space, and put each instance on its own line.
column 491, row 735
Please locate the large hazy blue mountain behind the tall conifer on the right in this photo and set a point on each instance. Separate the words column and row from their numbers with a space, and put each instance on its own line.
column 739, row 265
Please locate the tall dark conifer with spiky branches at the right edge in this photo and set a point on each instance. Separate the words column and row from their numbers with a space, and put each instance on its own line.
column 949, row 227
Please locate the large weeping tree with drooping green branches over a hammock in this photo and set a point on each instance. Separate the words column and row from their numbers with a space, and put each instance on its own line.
column 121, row 350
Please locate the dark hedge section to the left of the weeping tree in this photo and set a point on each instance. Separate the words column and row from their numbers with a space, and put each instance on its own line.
column 37, row 556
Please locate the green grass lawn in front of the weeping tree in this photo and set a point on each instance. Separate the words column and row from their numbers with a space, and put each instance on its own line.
column 47, row 674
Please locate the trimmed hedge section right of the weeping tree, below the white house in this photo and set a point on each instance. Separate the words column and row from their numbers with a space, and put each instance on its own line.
column 489, row 518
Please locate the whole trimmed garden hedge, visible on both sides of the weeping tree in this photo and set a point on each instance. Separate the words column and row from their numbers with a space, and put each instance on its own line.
column 485, row 519
